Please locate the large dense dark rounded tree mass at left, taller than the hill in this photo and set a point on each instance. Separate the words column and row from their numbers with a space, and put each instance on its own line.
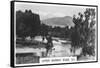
column 27, row 23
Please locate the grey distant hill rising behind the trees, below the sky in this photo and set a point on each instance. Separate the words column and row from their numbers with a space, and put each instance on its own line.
column 59, row 21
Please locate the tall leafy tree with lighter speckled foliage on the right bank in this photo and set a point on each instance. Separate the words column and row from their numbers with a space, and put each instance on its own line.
column 84, row 32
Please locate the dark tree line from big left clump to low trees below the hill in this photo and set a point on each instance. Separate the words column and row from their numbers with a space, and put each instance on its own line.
column 29, row 24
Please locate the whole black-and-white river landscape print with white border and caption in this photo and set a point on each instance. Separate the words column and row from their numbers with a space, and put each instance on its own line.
column 51, row 33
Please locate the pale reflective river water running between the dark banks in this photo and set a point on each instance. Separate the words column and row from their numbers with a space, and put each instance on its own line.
column 61, row 48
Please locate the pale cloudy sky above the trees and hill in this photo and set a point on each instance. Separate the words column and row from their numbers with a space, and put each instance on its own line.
column 50, row 10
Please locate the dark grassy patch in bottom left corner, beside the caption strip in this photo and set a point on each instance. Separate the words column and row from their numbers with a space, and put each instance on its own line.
column 26, row 58
